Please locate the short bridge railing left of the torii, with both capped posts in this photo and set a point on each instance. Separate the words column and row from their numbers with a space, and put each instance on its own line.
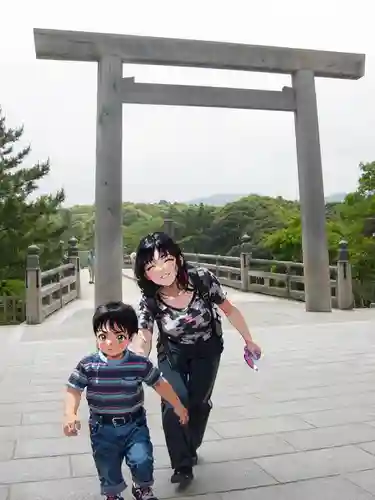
column 49, row 291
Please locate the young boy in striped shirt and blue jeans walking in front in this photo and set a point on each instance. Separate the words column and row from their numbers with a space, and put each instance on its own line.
column 113, row 379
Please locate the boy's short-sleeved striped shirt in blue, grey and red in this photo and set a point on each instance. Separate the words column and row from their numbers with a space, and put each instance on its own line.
column 114, row 387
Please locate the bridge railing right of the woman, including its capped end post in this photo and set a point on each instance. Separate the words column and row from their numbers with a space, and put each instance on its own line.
column 277, row 278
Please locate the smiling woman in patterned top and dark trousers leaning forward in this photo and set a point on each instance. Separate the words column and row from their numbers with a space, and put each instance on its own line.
column 183, row 302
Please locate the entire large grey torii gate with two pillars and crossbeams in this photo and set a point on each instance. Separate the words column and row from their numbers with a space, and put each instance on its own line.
column 111, row 51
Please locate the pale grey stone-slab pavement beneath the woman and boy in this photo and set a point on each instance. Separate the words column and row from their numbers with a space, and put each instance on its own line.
column 302, row 427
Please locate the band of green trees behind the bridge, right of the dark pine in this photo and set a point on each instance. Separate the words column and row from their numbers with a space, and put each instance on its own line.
column 272, row 226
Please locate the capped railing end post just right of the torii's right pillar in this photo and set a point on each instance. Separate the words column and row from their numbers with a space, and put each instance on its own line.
column 344, row 290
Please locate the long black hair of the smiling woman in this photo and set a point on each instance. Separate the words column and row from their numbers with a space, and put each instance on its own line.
column 145, row 254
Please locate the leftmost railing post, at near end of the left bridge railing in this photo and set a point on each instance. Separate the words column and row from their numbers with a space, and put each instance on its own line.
column 33, row 287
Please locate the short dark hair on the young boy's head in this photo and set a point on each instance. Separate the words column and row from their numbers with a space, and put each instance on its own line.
column 117, row 316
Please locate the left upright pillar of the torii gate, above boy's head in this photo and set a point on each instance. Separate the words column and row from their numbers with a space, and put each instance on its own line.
column 108, row 182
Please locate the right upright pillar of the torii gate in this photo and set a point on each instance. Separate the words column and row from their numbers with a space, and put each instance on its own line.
column 310, row 179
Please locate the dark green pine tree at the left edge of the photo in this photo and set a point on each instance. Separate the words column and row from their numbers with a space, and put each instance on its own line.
column 23, row 220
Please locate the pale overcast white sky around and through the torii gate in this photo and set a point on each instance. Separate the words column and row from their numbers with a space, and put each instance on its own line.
column 181, row 153
